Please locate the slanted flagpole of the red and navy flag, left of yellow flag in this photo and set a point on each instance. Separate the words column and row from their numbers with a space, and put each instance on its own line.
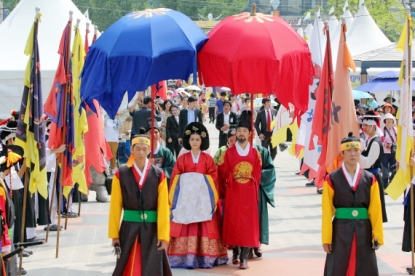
column 67, row 89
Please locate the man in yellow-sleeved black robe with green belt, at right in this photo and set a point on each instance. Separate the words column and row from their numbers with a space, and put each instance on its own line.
column 351, row 196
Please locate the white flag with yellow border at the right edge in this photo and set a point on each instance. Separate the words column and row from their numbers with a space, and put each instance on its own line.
column 405, row 129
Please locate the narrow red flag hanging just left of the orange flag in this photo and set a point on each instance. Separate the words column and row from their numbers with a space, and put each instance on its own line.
column 322, row 113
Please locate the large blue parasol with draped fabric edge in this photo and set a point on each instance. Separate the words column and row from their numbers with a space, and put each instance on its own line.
column 137, row 51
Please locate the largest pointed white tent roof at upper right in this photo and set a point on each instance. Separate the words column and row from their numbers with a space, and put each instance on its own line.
column 364, row 34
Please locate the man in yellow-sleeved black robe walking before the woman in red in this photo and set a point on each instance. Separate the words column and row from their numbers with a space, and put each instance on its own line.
column 139, row 191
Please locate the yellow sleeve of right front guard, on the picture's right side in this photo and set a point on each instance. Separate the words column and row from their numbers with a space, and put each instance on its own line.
column 375, row 212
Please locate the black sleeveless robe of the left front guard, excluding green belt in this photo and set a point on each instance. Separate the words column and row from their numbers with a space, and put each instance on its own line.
column 156, row 263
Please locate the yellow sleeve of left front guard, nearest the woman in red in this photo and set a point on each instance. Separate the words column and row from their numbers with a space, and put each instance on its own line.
column 163, row 211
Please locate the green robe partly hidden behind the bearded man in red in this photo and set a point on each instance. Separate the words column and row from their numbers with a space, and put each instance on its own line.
column 266, row 192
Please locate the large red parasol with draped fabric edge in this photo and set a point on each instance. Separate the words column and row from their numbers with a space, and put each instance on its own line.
column 258, row 53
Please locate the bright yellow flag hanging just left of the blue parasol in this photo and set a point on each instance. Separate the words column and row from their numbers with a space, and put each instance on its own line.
column 80, row 120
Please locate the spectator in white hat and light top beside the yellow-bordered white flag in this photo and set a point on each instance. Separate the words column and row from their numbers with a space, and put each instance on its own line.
column 389, row 147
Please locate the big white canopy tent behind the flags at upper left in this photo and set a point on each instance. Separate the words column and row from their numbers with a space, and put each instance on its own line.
column 14, row 31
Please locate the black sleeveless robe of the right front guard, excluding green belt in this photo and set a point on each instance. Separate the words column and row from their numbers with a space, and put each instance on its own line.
column 344, row 229
